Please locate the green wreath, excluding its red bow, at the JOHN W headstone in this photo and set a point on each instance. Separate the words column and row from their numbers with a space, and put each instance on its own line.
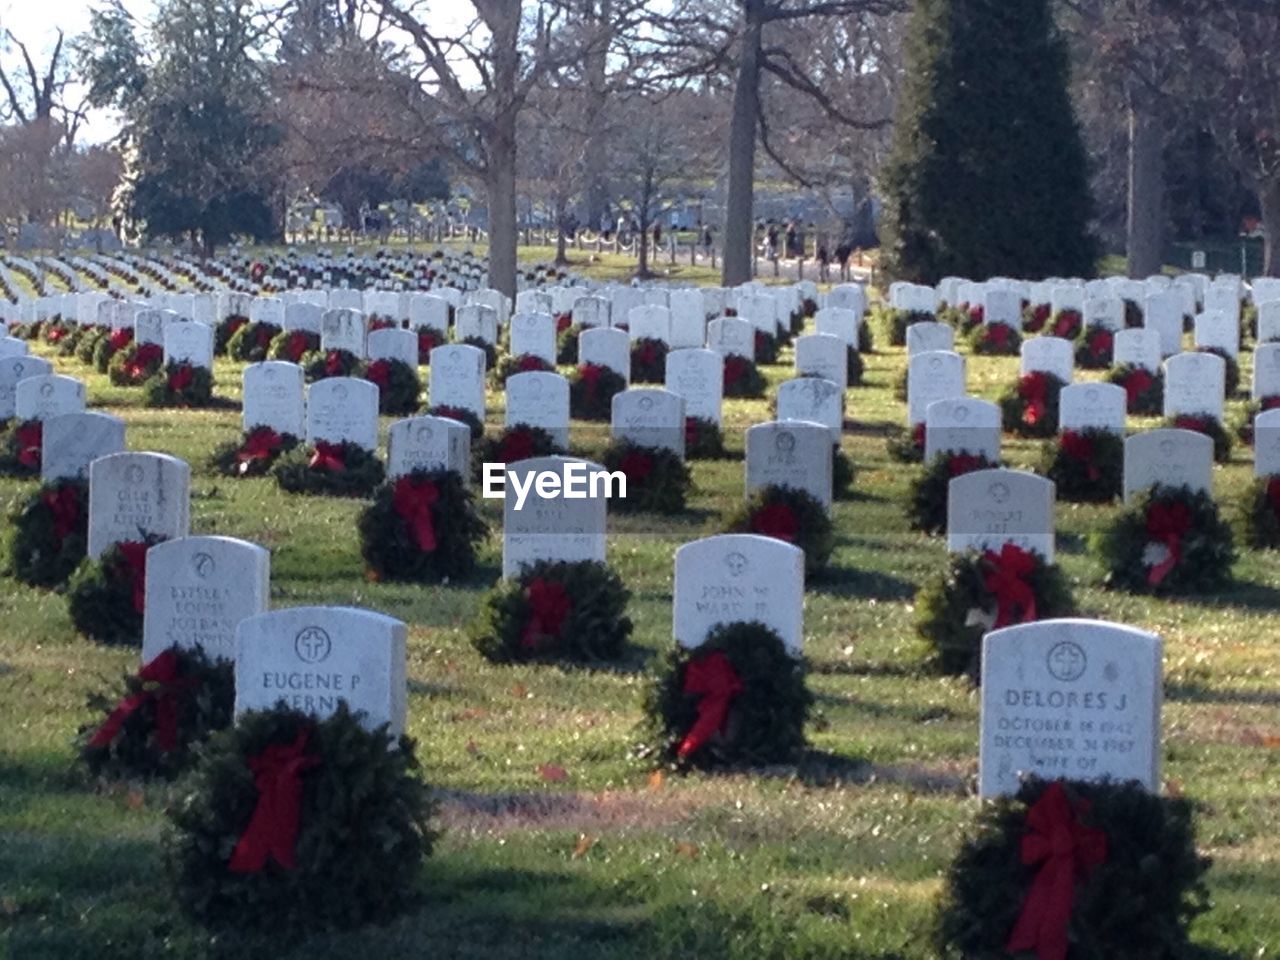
column 766, row 720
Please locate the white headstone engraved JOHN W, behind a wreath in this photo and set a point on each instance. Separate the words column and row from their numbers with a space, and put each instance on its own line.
column 738, row 579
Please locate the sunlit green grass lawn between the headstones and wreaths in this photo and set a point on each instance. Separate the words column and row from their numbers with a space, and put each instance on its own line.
column 610, row 863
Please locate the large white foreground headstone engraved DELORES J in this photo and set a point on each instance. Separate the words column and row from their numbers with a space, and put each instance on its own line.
column 1072, row 700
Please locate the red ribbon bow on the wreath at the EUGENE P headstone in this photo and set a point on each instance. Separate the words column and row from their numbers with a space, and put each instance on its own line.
column 273, row 831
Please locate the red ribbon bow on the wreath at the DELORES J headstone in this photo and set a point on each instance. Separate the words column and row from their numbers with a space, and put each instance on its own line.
column 1069, row 852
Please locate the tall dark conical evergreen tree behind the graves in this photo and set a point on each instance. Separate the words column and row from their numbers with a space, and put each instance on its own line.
column 989, row 175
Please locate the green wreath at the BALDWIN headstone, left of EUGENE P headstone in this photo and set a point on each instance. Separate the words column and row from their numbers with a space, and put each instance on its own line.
column 202, row 696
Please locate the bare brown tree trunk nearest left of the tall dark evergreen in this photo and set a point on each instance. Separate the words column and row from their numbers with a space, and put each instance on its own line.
column 740, row 204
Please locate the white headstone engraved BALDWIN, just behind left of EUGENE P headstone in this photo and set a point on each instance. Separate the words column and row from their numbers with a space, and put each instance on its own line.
column 199, row 589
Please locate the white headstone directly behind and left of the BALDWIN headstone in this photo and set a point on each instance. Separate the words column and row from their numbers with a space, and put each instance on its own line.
column 136, row 496
